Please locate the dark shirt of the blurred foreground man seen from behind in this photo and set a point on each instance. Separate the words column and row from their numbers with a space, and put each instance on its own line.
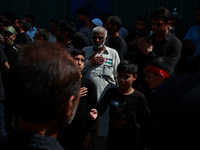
column 18, row 139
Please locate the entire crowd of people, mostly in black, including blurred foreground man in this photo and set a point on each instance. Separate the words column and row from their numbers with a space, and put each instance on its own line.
column 92, row 85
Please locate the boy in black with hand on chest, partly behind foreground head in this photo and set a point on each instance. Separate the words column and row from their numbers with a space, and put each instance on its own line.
column 78, row 134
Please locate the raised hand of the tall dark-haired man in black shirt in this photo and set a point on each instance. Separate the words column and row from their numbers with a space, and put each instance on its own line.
column 144, row 46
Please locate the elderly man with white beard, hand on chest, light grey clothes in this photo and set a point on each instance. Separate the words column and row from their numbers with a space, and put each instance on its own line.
column 101, row 67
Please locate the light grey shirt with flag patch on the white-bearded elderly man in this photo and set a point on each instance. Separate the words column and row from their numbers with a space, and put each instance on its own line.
column 104, row 77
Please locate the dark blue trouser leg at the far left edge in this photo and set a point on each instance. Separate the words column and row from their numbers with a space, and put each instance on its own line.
column 2, row 123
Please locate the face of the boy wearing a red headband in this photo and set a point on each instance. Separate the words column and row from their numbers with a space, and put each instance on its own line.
column 153, row 80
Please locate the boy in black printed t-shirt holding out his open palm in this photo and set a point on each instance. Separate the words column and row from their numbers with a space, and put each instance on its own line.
column 129, row 113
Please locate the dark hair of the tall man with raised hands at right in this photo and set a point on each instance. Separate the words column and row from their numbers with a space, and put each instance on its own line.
column 161, row 14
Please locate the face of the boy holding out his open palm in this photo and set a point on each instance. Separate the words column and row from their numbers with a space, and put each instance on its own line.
column 125, row 80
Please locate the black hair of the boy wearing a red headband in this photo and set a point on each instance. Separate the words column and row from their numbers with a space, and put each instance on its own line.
column 161, row 62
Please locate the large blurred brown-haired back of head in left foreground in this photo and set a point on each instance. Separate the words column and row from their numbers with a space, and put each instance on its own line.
column 44, row 79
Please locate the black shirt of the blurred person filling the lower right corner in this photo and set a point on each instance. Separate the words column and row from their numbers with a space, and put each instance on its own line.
column 175, row 114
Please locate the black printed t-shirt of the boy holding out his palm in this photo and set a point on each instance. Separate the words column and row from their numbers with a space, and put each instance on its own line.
column 129, row 116
